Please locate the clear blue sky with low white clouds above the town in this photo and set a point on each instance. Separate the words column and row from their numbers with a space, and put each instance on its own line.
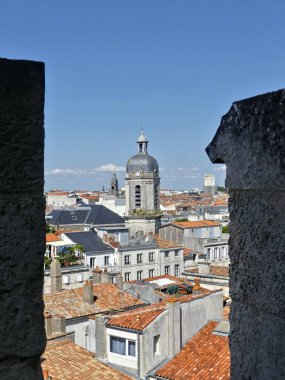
column 174, row 65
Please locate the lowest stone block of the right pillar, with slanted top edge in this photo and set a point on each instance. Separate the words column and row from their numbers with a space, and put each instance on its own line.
column 261, row 357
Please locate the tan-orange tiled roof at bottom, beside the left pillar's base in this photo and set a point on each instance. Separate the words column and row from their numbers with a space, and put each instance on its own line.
column 65, row 360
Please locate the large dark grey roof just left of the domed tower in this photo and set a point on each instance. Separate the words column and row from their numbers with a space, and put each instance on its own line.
column 85, row 214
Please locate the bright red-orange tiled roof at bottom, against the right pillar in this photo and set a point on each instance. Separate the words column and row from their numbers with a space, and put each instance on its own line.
column 205, row 356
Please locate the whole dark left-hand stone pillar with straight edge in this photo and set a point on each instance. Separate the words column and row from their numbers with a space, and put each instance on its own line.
column 22, row 218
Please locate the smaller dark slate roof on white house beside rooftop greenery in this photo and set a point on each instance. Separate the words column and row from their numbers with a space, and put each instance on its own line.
column 90, row 241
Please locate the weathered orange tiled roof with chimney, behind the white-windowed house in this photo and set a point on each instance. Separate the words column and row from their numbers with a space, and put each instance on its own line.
column 69, row 303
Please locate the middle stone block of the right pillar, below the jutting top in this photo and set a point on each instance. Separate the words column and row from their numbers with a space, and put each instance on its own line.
column 256, row 252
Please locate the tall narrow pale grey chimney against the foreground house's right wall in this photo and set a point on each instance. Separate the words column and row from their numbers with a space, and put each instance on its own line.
column 174, row 327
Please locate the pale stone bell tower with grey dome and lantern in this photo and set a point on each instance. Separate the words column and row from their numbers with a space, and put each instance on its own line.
column 142, row 191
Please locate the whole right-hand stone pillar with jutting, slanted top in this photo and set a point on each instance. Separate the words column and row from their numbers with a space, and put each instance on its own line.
column 251, row 142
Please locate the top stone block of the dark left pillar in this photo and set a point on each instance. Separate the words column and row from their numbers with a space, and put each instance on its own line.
column 21, row 126
